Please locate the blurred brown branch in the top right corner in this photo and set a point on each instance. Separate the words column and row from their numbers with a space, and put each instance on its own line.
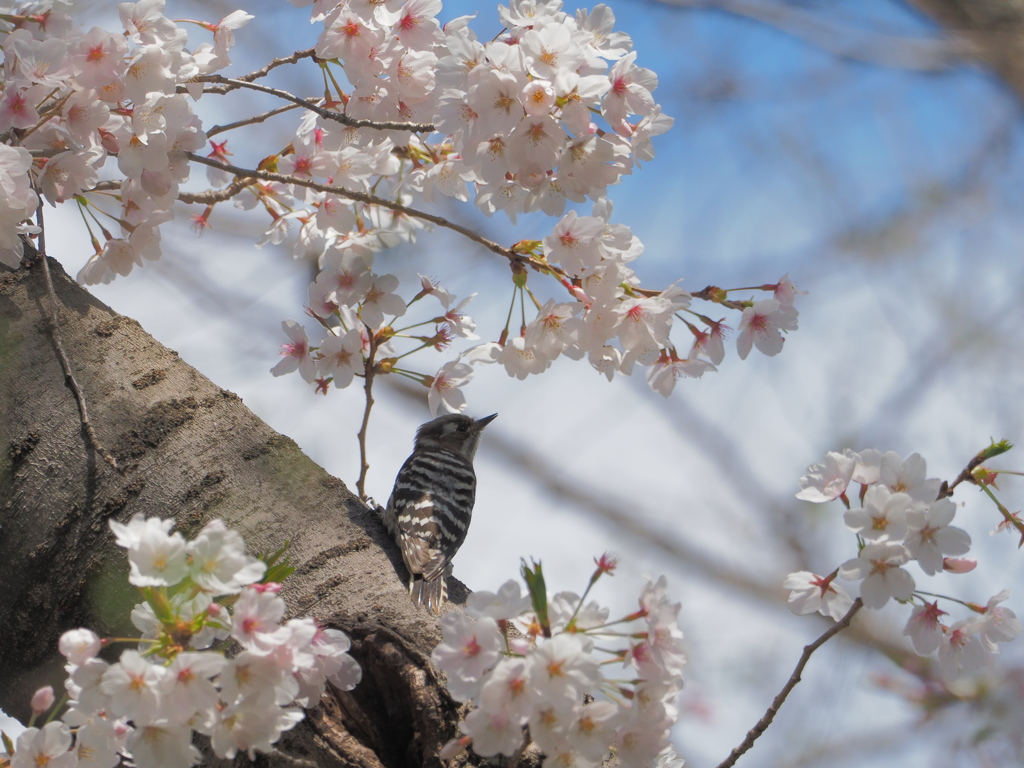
column 995, row 28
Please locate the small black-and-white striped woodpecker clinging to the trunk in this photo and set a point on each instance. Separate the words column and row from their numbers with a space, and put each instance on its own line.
column 432, row 503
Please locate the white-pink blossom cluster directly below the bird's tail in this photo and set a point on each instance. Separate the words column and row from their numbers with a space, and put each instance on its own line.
column 553, row 676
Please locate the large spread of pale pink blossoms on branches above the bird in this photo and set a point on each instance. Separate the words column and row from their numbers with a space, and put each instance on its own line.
column 517, row 117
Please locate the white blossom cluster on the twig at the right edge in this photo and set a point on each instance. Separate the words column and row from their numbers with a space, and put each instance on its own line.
column 903, row 518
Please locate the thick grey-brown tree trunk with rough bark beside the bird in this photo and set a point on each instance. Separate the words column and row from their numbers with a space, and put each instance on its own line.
column 194, row 452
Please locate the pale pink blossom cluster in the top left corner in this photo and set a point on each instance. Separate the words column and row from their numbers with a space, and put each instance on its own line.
column 75, row 97
